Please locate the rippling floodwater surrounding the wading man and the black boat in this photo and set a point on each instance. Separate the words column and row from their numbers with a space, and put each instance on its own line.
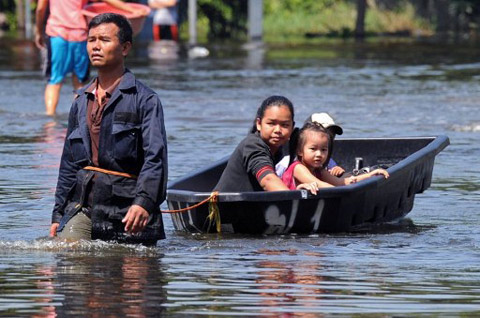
column 427, row 265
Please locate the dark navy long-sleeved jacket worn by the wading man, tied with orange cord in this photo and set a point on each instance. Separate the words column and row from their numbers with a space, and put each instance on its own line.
column 132, row 140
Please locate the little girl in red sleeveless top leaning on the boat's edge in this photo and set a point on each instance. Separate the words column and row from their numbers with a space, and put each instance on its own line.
column 313, row 153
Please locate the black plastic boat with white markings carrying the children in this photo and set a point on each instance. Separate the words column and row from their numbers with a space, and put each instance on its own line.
column 340, row 209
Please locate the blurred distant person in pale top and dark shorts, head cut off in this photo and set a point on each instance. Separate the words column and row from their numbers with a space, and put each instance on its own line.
column 165, row 19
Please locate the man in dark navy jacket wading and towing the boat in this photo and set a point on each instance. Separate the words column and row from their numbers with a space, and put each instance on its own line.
column 113, row 170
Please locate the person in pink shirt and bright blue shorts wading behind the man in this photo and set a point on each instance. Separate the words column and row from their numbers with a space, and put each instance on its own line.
column 65, row 43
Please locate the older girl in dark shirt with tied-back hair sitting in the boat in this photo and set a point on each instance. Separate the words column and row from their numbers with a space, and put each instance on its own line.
column 251, row 166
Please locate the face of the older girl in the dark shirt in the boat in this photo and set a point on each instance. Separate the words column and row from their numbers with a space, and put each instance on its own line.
column 276, row 126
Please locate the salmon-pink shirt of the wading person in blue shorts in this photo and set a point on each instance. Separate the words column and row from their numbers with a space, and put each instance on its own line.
column 66, row 20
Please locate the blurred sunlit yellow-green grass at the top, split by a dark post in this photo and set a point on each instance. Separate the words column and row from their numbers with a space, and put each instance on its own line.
column 296, row 18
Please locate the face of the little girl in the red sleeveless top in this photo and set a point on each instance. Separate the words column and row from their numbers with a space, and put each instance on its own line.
column 314, row 152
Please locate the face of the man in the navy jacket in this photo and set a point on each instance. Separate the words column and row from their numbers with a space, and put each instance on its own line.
column 104, row 48
